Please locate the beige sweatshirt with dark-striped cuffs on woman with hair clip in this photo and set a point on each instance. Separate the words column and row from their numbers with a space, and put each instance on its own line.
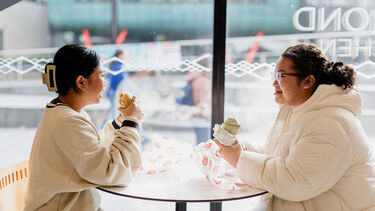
column 70, row 157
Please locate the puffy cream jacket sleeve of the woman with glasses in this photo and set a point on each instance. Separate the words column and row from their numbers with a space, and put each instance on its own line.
column 314, row 164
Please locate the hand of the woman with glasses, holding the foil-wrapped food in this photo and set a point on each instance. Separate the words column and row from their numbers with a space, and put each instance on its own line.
column 230, row 153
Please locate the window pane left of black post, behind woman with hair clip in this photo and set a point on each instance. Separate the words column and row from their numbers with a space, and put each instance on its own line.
column 166, row 64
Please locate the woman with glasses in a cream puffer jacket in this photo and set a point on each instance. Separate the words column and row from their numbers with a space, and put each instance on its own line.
column 316, row 156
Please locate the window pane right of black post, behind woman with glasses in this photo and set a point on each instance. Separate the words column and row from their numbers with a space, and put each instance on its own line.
column 258, row 32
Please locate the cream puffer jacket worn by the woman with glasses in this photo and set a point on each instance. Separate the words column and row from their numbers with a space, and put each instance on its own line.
column 316, row 157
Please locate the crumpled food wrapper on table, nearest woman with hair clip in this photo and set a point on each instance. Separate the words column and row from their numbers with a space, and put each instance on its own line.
column 162, row 153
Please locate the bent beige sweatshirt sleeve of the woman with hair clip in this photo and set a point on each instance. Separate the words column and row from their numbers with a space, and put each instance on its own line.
column 93, row 161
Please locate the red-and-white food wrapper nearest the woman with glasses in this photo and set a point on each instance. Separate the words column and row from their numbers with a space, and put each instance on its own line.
column 214, row 168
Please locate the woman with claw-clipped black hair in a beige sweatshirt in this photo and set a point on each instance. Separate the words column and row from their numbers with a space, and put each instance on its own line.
column 70, row 157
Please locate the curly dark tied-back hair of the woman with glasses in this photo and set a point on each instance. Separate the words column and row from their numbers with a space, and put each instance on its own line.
column 310, row 60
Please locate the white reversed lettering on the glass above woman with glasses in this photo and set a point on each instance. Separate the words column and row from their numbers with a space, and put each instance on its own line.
column 351, row 19
